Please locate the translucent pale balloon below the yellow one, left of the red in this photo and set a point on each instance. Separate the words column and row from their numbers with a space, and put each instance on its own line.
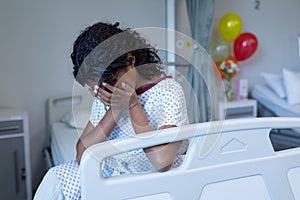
column 218, row 49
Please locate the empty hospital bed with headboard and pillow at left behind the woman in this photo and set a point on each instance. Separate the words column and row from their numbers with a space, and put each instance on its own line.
column 66, row 116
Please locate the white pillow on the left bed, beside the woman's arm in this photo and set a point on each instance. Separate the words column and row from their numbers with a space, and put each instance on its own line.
column 78, row 118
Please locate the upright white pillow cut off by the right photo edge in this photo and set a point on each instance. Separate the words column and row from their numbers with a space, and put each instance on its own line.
column 292, row 84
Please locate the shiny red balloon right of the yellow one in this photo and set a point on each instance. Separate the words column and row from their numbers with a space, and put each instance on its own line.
column 244, row 46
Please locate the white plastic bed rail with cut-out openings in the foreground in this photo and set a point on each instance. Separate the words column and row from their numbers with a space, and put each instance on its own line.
column 231, row 159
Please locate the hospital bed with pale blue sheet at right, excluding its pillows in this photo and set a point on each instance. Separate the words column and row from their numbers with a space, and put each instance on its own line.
column 271, row 105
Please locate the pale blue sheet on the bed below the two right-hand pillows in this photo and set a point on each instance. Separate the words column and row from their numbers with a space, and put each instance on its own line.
column 271, row 101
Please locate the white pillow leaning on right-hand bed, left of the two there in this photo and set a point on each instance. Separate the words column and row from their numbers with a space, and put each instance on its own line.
column 275, row 82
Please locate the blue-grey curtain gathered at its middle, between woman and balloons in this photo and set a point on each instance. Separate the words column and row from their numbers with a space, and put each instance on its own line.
column 202, row 77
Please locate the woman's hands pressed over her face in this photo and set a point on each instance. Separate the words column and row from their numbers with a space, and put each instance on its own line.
column 119, row 97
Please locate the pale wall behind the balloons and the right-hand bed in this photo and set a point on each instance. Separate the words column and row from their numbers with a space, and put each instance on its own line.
column 275, row 24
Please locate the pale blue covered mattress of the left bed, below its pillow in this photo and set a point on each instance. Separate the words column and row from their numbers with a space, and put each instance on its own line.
column 63, row 143
